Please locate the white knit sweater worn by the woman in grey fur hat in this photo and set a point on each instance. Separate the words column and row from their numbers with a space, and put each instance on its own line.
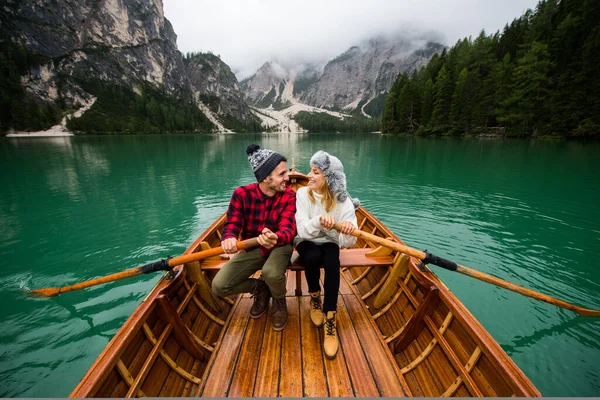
column 307, row 219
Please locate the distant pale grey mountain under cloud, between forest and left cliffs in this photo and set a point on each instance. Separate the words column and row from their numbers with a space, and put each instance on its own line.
column 356, row 81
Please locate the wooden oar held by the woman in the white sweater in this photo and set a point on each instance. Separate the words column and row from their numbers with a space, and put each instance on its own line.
column 428, row 258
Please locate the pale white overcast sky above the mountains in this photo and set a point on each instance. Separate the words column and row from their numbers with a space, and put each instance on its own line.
column 247, row 33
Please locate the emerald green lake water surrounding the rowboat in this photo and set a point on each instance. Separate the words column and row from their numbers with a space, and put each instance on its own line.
column 77, row 208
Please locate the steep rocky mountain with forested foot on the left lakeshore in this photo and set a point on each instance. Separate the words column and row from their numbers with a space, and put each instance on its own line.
column 65, row 54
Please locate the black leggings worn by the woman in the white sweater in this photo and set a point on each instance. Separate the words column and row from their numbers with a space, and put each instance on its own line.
column 312, row 256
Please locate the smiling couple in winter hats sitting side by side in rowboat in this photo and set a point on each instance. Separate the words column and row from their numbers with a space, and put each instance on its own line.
column 274, row 213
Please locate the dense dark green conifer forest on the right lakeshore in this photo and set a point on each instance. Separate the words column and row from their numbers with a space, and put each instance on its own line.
column 539, row 77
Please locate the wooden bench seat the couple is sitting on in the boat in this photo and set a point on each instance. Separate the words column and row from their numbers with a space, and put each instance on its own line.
column 348, row 258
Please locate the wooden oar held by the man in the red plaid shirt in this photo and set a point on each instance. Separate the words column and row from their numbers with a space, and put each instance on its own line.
column 161, row 265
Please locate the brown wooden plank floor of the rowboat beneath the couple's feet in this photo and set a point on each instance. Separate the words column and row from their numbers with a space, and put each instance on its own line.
column 255, row 361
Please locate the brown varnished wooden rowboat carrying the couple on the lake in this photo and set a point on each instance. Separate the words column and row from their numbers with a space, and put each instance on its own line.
column 402, row 333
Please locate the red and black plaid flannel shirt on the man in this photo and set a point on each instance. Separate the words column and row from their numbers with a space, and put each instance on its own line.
column 250, row 211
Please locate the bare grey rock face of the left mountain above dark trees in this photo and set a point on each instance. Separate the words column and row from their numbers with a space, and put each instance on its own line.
column 128, row 43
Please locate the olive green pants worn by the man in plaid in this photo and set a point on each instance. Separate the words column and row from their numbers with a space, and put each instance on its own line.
column 234, row 276
